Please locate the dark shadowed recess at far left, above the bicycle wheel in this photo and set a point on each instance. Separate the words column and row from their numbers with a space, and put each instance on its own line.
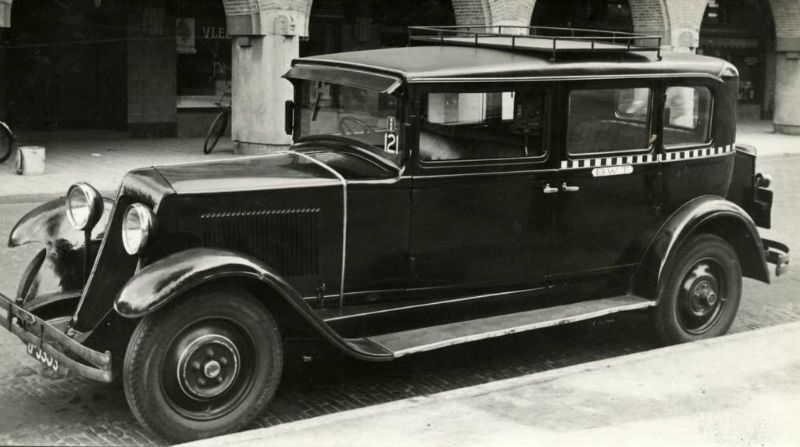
column 65, row 65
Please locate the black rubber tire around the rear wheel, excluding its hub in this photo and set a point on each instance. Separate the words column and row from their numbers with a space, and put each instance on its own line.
column 669, row 316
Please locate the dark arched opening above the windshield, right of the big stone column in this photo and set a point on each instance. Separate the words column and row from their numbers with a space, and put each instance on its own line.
column 349, row 25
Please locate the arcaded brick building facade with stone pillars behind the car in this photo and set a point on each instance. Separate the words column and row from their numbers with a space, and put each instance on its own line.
column 181, row 54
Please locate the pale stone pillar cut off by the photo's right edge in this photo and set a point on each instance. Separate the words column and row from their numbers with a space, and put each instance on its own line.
column 787, row 91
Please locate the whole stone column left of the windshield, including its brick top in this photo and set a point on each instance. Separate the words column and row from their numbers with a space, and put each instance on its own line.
column 264, row 43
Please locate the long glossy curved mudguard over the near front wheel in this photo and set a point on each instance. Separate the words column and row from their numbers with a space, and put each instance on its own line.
column 166, row 279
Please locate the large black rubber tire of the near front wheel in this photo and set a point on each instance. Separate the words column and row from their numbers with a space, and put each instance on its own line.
column 147, row 374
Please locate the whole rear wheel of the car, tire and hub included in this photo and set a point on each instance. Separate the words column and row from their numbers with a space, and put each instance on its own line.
column 701, row 291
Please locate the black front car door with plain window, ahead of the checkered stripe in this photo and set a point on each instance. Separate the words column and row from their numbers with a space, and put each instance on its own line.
column 481, row 205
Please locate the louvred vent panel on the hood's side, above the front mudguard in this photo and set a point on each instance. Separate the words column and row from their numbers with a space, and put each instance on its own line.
column 286, row 239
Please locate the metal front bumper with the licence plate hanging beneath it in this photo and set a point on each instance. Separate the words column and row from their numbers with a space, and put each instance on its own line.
column 51, row 346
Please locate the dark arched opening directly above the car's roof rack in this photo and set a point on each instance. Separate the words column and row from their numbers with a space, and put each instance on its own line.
column 595, row 14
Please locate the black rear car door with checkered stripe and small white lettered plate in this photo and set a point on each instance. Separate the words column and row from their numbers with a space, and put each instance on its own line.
column 609, row 179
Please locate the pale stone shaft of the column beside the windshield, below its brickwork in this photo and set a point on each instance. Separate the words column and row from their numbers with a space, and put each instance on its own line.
column 259, row 92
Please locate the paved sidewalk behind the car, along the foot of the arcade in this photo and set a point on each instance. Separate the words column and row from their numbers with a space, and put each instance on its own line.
column 102, row 158
